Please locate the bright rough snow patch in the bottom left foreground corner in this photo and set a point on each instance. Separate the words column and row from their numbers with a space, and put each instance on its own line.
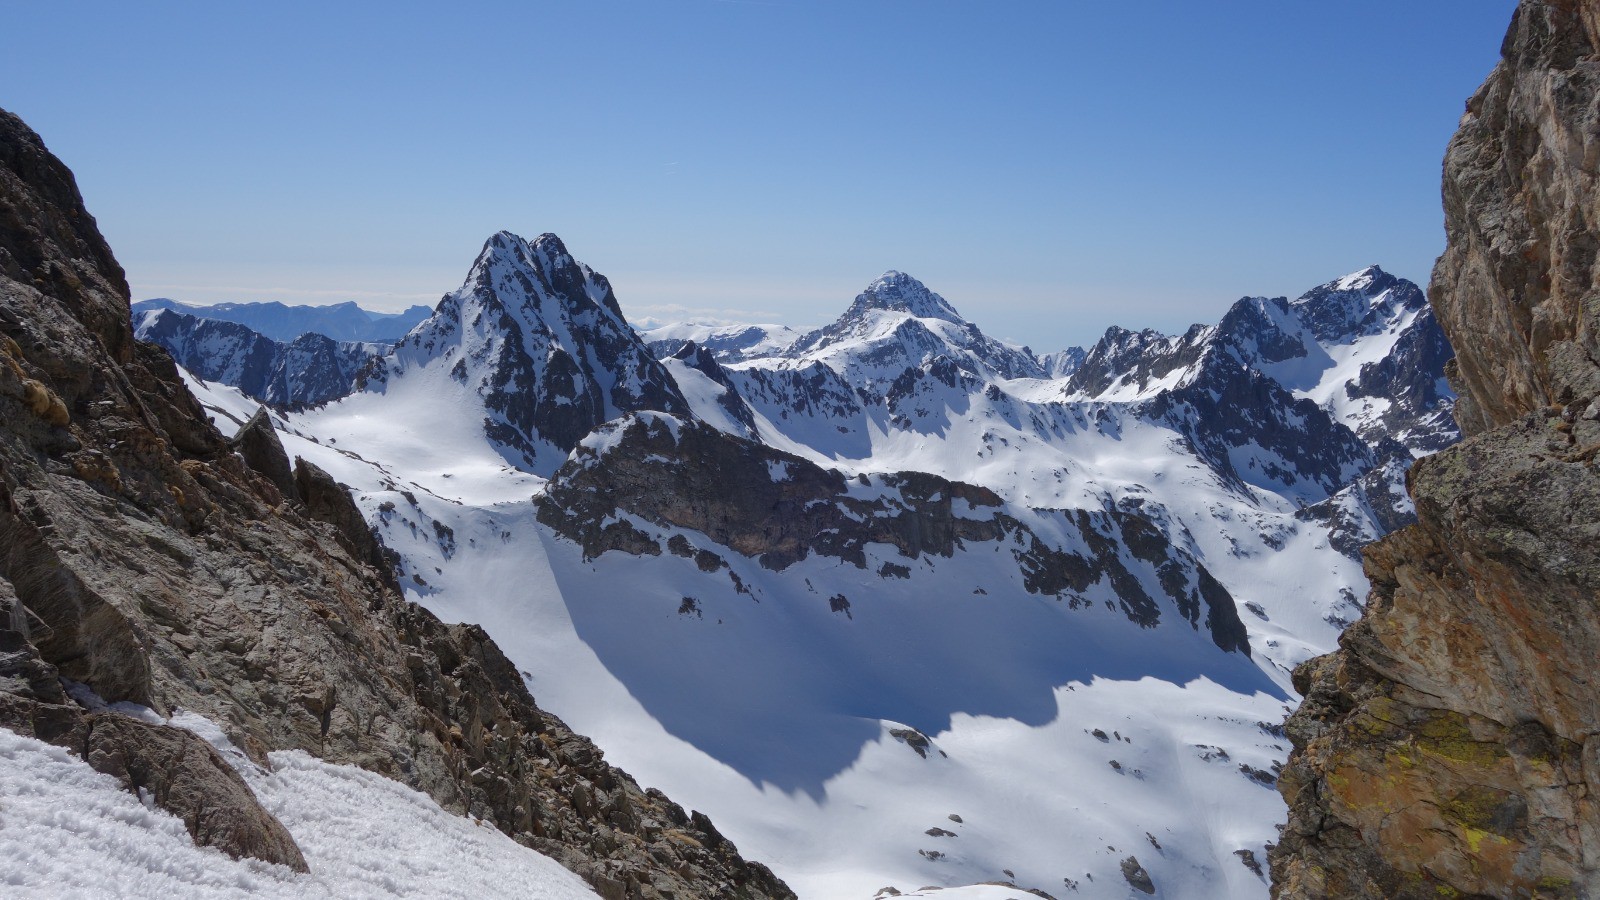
column 71, row 832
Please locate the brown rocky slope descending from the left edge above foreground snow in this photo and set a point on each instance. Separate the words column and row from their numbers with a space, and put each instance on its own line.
column 145, row 560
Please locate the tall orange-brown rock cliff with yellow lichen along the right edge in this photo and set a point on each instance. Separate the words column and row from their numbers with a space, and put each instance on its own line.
column 1452, row 747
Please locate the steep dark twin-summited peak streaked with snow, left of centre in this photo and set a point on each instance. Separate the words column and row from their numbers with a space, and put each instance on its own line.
column 542, row 340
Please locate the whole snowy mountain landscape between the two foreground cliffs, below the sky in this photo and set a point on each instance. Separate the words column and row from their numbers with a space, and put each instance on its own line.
column 793, row 577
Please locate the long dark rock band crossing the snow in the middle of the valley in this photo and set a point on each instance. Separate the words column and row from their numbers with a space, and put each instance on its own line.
column 780, row 508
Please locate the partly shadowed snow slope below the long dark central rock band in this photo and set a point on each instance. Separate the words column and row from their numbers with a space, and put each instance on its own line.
column 778, row 718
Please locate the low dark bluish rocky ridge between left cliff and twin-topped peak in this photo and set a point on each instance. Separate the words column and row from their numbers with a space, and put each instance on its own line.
column 305, row 372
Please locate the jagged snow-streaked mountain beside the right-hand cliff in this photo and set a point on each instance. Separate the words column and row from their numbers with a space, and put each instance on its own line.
column 1239, row 393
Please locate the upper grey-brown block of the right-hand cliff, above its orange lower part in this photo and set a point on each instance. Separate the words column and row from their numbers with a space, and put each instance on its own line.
column 1516, row 286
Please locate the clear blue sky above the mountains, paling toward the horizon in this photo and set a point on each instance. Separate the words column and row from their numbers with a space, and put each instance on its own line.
column 1052, row 167
